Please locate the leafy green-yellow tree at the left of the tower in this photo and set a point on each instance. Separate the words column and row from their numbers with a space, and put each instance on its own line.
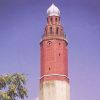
column 12, row 86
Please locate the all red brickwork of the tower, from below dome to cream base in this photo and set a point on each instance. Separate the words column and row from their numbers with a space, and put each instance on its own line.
column 54, row 51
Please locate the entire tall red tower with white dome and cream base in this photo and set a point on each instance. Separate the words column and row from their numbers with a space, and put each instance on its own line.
column 54, row 82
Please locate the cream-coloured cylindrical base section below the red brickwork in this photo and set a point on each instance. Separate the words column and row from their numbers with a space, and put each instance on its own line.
column 54, row 90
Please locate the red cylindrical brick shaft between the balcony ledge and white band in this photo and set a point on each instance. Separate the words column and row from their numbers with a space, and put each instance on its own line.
column 54, row 57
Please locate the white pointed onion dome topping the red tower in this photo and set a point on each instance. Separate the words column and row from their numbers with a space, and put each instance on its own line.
column 53, row 11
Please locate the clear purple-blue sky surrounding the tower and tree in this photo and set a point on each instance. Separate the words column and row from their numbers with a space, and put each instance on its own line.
column 22, row 23
